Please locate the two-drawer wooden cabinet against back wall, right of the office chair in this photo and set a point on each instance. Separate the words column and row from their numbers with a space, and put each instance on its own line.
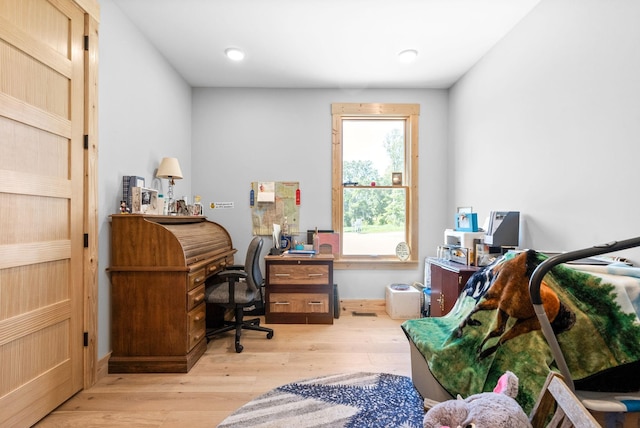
column 299, row 290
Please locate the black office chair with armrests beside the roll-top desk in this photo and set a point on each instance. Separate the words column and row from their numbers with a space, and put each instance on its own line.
column 237, row 289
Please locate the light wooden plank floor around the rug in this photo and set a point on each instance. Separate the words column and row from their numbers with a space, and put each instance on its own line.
column 222, row 381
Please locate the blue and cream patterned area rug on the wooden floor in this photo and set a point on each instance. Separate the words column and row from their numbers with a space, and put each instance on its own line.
column 342, row 400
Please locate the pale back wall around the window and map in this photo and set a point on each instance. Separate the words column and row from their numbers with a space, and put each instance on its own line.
column 246, row 135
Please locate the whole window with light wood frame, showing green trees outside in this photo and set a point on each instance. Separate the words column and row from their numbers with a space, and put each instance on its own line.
column 375, row 183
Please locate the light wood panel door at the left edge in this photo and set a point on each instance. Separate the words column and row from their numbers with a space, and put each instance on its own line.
column 41, row 206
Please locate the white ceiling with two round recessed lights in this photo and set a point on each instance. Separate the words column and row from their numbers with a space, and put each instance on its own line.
column 324, row 43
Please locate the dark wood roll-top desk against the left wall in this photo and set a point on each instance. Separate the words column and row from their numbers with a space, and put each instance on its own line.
column 159, row 265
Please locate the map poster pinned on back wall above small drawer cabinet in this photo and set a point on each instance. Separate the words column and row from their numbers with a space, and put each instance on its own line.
column 285, row 203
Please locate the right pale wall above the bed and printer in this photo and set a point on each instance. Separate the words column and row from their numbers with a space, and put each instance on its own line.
column 548, row 124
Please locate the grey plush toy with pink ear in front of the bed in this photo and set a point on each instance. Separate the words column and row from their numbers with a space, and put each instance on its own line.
column 497, row 409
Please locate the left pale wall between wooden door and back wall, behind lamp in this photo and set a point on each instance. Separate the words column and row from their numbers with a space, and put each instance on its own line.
column 144, row 114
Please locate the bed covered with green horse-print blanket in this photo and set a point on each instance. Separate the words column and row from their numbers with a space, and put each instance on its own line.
column 593, row 312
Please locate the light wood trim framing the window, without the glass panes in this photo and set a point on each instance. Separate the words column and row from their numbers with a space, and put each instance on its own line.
column 410, row 113
